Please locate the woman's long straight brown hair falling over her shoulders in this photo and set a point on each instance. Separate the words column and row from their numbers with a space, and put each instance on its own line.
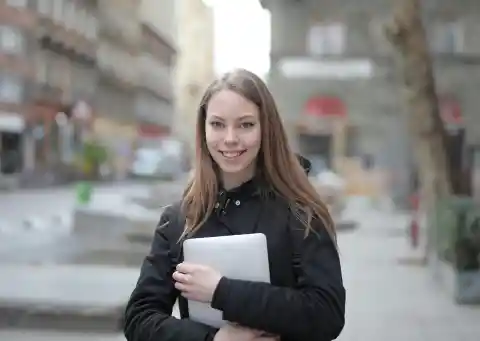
column 278, row 164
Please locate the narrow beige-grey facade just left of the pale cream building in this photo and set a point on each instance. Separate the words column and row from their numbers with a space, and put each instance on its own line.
column 155, row 100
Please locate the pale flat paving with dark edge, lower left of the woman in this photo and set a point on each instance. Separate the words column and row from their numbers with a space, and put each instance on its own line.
column 62, row 299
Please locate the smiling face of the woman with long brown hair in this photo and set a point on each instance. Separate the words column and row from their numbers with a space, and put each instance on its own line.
column 233, row 136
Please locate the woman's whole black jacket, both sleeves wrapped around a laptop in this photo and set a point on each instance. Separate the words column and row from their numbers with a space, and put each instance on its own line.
column 304, row 302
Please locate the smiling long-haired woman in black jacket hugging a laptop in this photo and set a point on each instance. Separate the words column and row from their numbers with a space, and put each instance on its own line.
column 246, row 179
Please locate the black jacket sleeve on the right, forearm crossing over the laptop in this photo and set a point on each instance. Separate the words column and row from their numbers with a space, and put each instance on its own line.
column 313, row 310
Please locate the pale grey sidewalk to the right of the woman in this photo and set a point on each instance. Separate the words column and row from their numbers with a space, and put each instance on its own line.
column 388, row 300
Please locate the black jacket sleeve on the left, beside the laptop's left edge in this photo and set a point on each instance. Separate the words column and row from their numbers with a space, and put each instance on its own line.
column 148, row 312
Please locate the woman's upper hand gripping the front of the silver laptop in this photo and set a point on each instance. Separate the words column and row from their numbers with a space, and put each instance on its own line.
column 196, row 282
